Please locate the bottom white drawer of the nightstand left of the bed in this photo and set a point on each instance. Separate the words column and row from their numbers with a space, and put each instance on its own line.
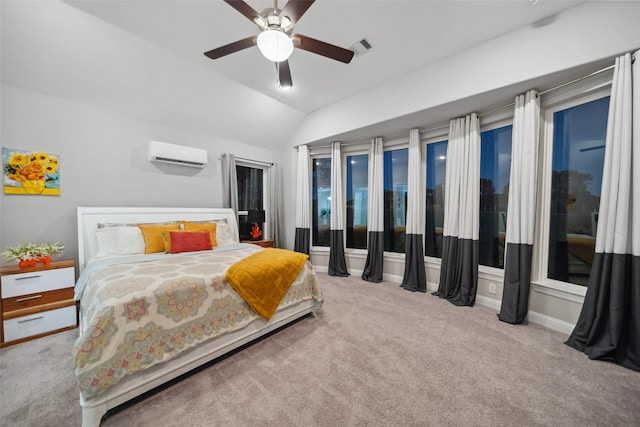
column 37, row 323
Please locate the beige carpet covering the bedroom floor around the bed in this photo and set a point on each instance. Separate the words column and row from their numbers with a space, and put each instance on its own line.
column 377, row 355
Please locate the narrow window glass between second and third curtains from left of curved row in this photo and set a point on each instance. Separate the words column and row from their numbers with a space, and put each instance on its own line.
column 357, row 201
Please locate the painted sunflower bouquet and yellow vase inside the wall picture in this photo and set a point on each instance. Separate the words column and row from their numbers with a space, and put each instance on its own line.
column 32, row 170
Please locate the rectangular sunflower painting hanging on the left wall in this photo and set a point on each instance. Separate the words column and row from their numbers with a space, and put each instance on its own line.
column 30, row 172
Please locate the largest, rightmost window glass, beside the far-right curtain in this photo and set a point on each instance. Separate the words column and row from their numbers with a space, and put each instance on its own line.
column 578, row 157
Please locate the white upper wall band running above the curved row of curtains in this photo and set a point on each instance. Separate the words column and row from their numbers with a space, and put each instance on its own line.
column 577, row 36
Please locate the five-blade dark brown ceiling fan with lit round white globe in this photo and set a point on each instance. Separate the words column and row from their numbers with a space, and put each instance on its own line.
column 276, row 41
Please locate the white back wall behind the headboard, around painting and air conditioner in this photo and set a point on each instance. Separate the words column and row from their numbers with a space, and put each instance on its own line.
column 103, row 162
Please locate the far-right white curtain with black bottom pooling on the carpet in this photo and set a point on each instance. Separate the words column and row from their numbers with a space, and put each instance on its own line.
column 609, row 324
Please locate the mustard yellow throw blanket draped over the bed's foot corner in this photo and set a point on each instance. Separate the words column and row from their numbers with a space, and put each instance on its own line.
column 262, row 279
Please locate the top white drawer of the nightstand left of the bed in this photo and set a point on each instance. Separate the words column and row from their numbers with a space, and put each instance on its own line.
column 37, row 281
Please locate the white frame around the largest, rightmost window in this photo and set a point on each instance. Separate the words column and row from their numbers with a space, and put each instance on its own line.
column 584, row 92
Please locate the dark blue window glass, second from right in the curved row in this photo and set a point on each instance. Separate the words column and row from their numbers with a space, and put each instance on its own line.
column 495, row 166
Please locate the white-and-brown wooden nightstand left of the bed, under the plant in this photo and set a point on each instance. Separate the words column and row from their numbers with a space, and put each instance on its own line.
column 36, row 301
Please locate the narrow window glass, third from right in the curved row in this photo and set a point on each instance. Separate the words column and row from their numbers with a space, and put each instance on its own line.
column 436, row 168
